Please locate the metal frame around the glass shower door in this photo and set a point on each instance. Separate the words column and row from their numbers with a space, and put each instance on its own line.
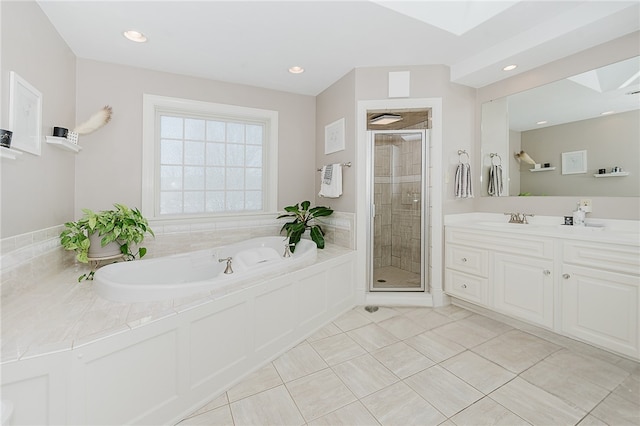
column 424, row 210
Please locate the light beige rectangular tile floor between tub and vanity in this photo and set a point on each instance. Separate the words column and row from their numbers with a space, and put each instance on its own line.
column 425, row 366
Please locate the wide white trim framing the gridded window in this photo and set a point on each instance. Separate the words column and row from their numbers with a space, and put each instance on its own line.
column 150, row 104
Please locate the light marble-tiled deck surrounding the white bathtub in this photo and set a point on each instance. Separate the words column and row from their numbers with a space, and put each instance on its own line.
column 60, row 313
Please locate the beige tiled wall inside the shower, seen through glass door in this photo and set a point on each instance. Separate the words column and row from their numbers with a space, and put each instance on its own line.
column 398, row 197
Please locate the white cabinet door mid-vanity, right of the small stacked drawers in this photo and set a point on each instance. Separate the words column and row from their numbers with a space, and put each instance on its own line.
column 523, row 288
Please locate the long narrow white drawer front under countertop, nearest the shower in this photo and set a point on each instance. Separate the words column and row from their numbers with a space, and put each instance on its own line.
column 526, row 245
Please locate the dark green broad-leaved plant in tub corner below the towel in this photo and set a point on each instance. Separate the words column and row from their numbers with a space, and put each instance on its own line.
column 303, row 219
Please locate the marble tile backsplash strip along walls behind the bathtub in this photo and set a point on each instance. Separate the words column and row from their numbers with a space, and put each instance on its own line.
column 26, row 259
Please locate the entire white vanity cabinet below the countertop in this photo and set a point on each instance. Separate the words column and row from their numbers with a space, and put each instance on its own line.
column 591, row 288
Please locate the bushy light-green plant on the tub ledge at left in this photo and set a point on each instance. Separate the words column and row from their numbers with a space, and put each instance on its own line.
column 122, row 227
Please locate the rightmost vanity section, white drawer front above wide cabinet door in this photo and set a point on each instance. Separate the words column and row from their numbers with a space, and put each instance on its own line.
column 600, row 290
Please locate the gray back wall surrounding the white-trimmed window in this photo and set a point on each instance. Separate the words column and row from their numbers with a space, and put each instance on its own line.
column 109, row 168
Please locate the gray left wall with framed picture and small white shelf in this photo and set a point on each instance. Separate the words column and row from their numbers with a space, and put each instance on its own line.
column 37, row 192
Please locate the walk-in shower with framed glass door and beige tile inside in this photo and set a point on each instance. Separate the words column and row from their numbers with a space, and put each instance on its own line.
column 399, row 224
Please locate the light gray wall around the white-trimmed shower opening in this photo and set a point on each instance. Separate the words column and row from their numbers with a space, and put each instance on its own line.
column 430, row 81
